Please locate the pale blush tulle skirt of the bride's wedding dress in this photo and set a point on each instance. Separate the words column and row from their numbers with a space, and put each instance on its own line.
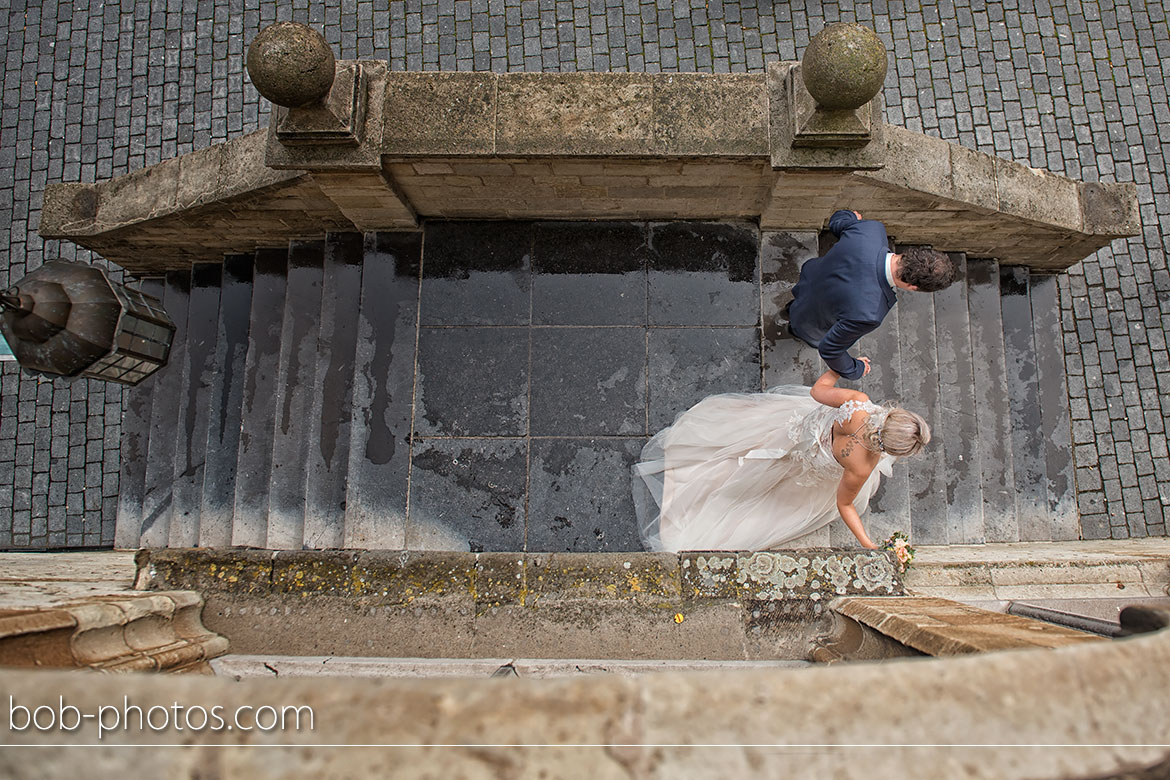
column 742, row 472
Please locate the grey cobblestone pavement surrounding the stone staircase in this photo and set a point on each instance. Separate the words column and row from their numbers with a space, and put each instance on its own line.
column 93, row 91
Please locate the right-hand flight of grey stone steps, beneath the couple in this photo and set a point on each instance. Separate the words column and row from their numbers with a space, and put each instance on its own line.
column 983, row 362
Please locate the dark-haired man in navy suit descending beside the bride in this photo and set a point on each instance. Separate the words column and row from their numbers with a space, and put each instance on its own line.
column 846, row 294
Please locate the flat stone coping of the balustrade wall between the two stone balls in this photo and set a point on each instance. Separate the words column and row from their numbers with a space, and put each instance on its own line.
column 575, row 115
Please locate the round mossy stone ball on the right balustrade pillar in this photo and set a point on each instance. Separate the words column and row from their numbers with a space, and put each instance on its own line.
column 844, row 67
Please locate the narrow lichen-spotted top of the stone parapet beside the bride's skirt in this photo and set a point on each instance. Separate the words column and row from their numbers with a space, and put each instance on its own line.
column 524, row 579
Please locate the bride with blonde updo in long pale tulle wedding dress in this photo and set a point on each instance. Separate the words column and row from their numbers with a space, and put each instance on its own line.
column 756, row 471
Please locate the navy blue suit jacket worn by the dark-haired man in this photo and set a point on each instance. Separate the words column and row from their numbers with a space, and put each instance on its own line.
column 844, row 295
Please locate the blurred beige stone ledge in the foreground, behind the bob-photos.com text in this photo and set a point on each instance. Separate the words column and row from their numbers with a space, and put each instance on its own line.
column 1095, row 694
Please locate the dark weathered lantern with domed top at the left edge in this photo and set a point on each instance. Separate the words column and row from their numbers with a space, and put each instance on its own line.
column 71, row 320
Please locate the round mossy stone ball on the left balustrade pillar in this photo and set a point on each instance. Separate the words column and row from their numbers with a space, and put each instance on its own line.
column 292, row 65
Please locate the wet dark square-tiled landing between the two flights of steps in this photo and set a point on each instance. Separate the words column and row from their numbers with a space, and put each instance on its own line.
column 548, row 354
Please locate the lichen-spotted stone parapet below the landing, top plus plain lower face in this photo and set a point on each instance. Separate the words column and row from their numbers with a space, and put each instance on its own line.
column 744, row 606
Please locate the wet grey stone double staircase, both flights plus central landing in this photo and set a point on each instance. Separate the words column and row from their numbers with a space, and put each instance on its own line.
column 485, row 386
